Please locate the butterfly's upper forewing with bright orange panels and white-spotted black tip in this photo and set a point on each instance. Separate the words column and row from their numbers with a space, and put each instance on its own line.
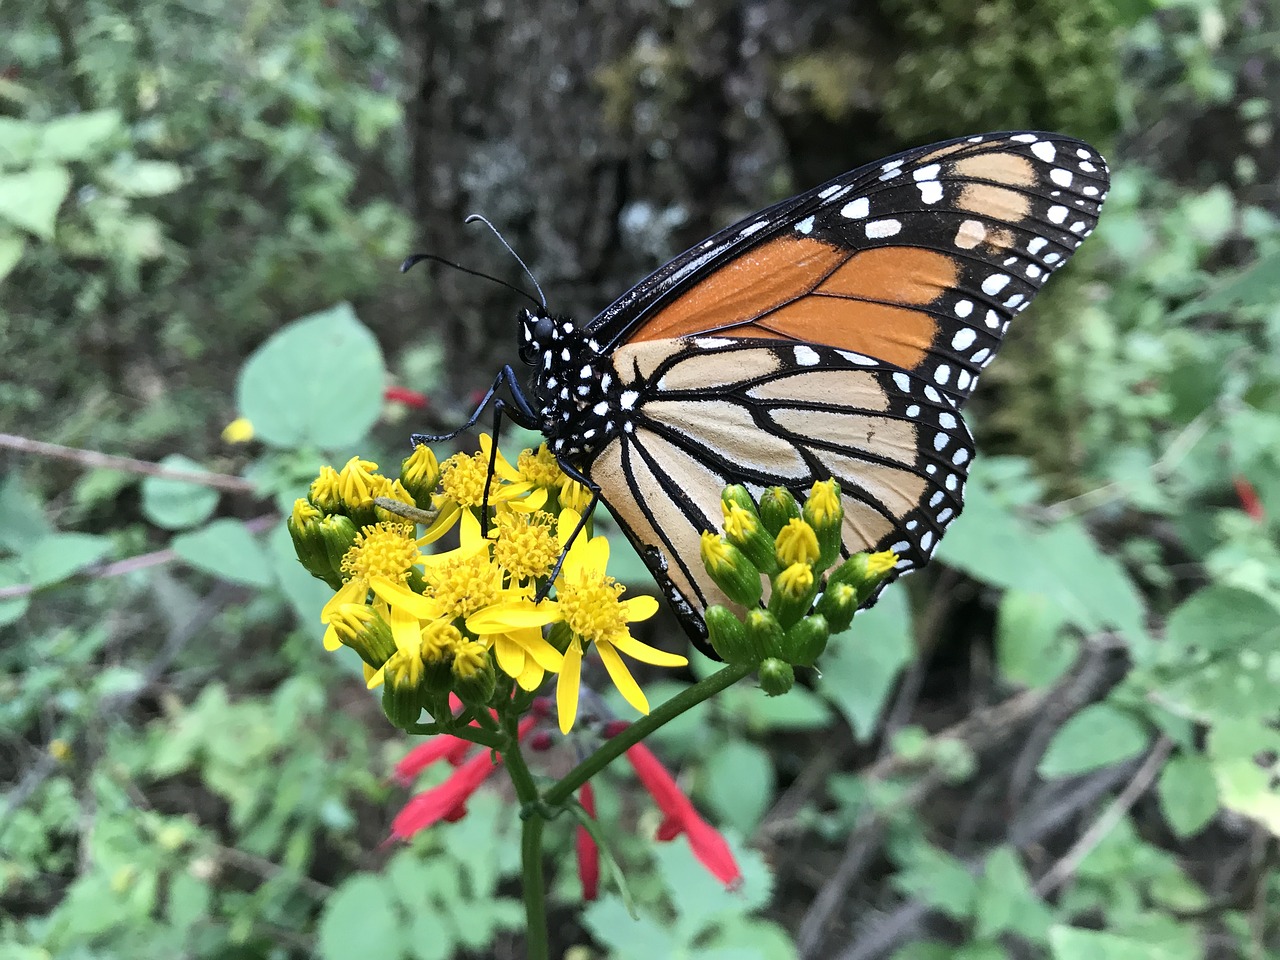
column 921, row 260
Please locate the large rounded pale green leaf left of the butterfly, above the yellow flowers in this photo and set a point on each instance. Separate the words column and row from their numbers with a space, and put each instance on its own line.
column 317, row 382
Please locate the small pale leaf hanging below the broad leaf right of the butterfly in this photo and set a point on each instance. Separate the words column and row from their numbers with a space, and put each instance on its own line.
column 1031, row 647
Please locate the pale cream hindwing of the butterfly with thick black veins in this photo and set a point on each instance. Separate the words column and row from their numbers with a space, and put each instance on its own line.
column 719, row 412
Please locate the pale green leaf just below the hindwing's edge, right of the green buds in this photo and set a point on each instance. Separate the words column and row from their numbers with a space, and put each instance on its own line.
column 861, row 666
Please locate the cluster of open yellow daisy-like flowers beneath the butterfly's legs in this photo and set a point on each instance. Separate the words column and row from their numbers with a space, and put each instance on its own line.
column 483, row 621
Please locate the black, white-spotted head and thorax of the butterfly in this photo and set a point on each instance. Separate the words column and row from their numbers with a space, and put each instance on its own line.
column 577, row 396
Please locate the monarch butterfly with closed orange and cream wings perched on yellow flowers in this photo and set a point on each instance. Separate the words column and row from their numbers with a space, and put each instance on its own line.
column 835, row 335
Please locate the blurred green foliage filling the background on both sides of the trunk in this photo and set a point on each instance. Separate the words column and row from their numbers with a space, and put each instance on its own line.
column 1064, row 744
